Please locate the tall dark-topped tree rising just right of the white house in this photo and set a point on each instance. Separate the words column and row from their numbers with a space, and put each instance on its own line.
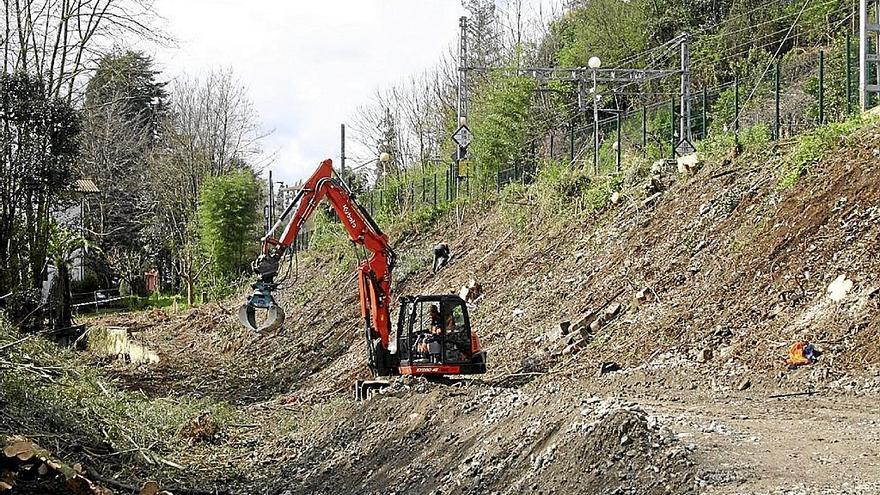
column 123, row 107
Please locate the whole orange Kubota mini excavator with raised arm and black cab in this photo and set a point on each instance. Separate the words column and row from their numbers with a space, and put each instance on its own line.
column 433, row 336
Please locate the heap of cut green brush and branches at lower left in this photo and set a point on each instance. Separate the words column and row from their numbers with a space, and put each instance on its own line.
column 47, row 390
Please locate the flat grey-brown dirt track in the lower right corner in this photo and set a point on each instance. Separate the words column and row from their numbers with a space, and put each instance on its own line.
column 816, row 444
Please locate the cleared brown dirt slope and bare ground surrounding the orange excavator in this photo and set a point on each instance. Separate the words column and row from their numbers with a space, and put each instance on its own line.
column 731, row 264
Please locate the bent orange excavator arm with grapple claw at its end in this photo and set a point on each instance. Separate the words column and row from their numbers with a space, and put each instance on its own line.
column 374, row 273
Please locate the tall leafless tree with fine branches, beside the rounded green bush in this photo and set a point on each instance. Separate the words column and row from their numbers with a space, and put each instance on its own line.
column 212, row 130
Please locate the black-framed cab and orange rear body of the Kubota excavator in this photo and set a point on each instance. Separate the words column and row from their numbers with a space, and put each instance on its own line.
column 434, row 337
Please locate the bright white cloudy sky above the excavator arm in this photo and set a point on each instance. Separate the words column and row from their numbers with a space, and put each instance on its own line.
column 307, row 64
